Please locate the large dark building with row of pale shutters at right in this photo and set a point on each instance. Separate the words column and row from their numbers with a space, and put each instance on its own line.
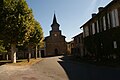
column 102, row 32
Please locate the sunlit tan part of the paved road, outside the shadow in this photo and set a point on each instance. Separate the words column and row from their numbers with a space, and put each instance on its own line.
column 47, row 69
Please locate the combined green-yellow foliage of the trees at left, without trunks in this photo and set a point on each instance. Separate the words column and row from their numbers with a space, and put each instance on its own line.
column 17, row 24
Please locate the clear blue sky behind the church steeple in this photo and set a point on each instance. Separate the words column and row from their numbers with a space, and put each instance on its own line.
column 70, row 14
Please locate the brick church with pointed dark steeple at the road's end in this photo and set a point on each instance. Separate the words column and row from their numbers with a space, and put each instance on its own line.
column 55, row 44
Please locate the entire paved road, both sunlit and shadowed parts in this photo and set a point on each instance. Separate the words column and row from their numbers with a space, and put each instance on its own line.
column 58, row 68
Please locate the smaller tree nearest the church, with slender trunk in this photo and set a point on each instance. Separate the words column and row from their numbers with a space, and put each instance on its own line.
column 36, row 36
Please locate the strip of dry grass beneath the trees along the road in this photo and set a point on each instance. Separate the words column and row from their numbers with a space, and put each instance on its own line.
column 21, row 62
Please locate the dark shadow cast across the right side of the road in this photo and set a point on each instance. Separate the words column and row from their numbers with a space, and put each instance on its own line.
column 83, row 71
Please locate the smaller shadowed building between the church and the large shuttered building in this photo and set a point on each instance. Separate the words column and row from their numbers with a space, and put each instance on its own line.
column 78, row 49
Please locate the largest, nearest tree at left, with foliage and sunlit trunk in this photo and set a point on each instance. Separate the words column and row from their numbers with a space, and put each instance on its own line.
column 16, row 23
